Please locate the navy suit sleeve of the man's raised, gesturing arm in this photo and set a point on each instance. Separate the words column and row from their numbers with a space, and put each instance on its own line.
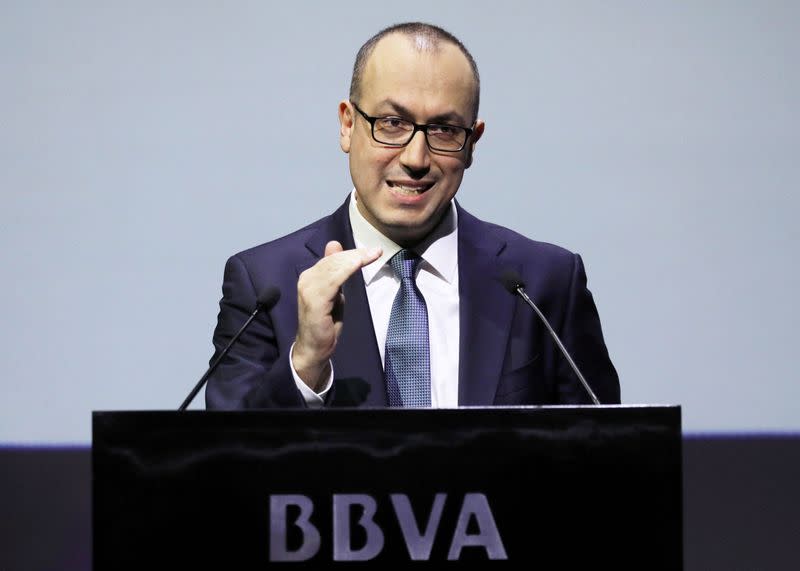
column 256, row 372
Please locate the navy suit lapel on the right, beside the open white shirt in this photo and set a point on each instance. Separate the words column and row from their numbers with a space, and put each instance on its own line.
column 485, row 311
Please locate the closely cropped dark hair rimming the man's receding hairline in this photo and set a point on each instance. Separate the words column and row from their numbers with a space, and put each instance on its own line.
column 424, row 38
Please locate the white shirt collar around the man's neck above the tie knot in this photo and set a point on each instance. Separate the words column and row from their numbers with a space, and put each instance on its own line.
column 439, row 249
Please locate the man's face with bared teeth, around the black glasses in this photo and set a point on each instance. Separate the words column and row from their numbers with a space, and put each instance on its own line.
column 404, row 192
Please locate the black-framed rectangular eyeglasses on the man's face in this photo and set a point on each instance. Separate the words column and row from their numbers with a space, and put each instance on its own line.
column 398, row 132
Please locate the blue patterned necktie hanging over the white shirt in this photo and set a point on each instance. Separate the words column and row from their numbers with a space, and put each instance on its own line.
column 407, row 357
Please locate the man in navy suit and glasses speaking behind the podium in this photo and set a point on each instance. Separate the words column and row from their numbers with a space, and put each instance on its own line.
column 350, row 328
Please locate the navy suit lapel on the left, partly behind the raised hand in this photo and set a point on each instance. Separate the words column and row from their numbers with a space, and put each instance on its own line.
column 357, row 365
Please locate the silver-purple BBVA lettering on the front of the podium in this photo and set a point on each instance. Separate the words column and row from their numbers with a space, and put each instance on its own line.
column 419, row 542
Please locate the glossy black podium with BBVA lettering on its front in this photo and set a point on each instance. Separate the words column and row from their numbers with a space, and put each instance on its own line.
column 511, row 488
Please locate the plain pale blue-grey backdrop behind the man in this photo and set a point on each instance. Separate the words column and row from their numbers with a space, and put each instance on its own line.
column 141, row 143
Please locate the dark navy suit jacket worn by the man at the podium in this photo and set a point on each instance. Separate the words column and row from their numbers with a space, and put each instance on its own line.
column 506, row 355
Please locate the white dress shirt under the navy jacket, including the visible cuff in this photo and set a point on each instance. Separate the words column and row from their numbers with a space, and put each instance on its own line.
column 437, row 280
